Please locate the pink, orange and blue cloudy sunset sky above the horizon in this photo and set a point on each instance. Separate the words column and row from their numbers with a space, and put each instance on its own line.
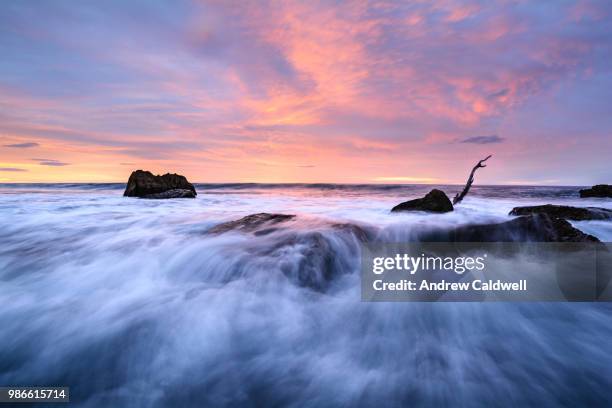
column 307, row 91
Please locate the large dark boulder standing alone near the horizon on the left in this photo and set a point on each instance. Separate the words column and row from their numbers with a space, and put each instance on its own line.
column 144, row 184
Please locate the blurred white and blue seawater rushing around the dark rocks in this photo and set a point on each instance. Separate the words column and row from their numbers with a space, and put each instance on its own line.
column 131, row 304
